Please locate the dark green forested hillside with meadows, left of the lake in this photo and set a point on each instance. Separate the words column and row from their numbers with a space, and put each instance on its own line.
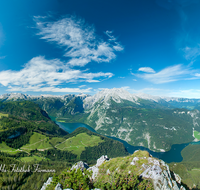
column 28, row 138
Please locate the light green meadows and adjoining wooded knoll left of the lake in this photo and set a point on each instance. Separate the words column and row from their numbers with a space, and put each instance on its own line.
column 81, row 142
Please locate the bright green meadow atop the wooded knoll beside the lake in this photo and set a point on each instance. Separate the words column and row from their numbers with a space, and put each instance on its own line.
column 78, row 143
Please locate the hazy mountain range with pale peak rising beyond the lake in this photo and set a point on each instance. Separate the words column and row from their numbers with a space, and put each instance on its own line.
column 139, row 119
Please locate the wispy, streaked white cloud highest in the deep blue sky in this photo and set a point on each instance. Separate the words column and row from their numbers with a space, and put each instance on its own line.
column 79, row 40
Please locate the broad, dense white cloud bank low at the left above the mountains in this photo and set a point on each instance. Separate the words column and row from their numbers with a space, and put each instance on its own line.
column 40, row 74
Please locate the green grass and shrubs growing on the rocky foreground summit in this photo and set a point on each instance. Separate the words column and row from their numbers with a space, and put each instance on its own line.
column 121, row 166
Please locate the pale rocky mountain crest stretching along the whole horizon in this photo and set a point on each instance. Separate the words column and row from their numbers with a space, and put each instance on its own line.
column 116, row 94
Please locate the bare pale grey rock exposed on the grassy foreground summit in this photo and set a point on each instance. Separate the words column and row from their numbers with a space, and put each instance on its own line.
column 152, row 168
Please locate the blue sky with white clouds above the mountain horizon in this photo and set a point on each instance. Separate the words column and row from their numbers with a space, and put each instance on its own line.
column 83, row 46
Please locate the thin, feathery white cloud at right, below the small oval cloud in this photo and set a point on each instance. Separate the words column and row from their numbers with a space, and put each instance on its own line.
column 169, row 74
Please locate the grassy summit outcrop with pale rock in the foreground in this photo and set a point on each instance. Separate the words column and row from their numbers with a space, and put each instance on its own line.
column 154, row 172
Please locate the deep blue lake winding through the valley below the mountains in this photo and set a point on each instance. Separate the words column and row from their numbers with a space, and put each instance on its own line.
column 174, row 155
